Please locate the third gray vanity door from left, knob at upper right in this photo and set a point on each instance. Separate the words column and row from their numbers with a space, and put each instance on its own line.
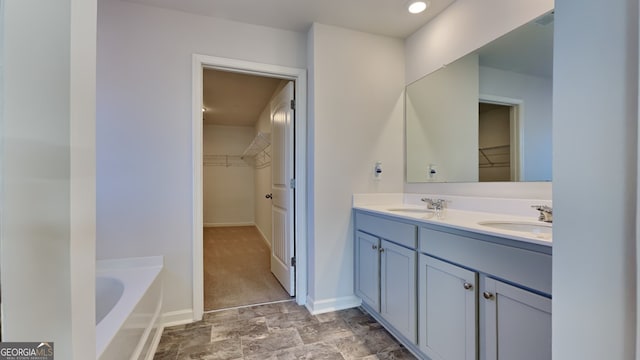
column 447, row 323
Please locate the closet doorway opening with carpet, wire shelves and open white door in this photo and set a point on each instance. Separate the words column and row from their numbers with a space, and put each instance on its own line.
column 244, row 161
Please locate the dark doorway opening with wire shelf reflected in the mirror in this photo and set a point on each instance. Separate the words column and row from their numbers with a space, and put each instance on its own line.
column 495, row 142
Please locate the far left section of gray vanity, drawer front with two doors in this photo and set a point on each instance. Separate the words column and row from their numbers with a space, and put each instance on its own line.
column 385, row 272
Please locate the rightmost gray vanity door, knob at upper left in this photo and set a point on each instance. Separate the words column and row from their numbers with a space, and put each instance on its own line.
column 517, row 323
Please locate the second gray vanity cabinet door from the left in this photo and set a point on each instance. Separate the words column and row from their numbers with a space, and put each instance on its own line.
column 398, row 288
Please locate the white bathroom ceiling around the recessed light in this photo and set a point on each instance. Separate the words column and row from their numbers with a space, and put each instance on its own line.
column 383, row 17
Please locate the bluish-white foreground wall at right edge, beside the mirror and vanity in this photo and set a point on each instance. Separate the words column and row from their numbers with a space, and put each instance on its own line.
column 595, row 121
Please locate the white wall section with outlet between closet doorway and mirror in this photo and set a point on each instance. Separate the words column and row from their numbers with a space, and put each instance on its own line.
column 355, row 119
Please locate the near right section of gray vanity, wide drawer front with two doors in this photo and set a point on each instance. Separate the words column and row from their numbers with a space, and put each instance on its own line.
column 461, row 300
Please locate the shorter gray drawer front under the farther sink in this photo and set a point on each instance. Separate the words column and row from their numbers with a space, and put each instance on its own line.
column 397, row 232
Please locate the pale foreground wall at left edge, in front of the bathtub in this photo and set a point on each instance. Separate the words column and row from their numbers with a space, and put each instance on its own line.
column 48, row 175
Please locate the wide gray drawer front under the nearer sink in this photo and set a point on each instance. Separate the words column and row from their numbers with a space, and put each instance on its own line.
column 525, row 267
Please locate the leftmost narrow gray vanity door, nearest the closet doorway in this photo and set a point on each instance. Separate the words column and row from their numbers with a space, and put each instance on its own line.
column 367, row 269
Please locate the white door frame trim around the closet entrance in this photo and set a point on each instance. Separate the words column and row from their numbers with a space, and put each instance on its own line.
column 299, row 76
